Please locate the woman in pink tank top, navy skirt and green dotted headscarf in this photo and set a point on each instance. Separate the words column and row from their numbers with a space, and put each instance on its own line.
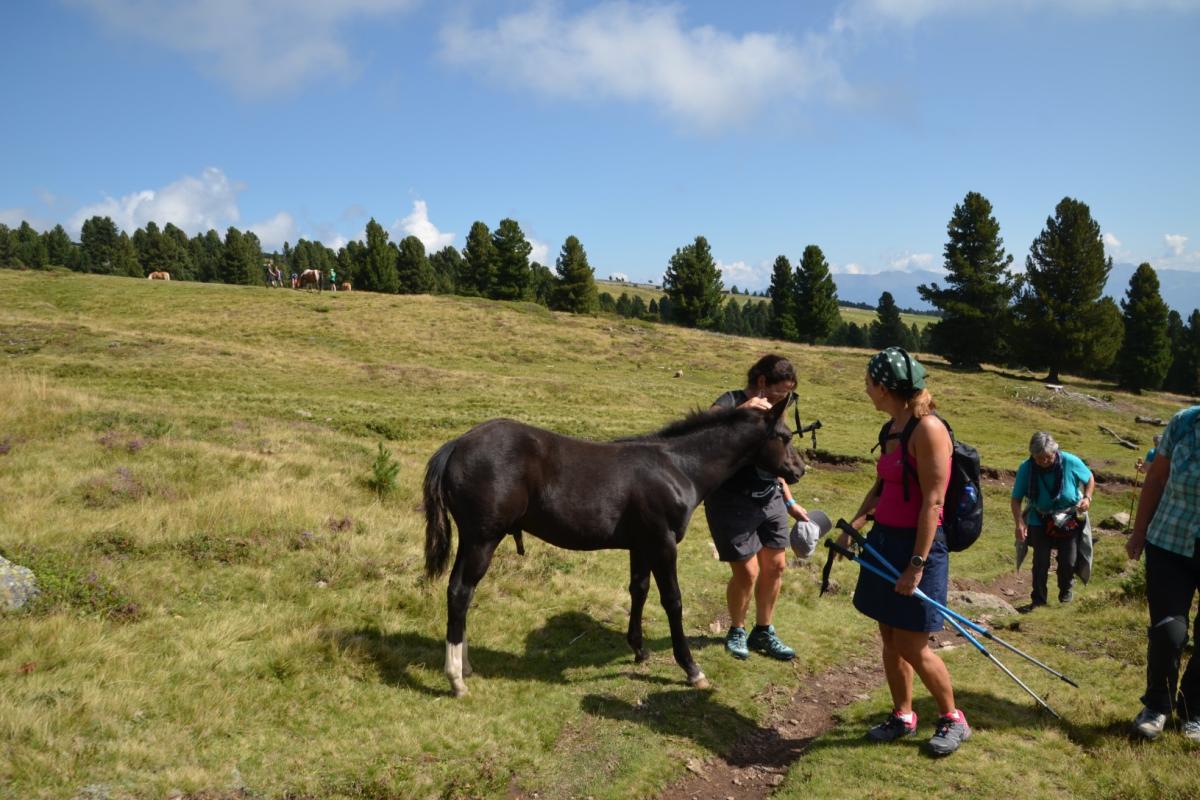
column 909, row 533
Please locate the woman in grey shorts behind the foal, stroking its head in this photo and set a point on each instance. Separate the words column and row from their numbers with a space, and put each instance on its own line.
column 751, row 519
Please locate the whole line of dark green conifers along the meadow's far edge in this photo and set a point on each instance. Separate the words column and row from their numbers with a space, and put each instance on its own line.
column 1054, row 317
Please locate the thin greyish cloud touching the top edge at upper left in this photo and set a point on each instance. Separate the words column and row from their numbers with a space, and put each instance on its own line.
column 259, row 47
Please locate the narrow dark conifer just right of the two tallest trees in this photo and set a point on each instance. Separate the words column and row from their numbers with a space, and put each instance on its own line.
column 1145, row 354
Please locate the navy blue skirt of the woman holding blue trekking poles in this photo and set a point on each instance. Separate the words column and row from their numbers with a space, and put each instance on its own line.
column 878, row 598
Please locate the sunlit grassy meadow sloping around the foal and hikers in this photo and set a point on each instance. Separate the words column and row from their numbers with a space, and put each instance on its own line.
column 230, row 612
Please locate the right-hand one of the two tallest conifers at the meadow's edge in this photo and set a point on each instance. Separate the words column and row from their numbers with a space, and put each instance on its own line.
column 1059, row 311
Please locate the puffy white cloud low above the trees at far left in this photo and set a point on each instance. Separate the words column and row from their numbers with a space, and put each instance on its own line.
column 194, row 203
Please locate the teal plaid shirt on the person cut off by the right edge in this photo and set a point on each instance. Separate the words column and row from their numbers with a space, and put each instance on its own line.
column 1177, row 521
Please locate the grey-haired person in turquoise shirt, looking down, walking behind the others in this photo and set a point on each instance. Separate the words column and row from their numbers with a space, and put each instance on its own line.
column 1059, row 488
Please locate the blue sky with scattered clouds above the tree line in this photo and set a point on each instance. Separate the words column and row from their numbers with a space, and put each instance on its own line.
column 856, row 125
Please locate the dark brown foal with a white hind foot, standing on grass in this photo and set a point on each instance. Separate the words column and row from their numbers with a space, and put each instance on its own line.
column 638, row 495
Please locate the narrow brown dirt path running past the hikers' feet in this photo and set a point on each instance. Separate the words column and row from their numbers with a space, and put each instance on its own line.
column 759, row 762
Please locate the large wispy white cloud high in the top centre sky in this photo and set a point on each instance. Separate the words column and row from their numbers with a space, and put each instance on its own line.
column 645, row 55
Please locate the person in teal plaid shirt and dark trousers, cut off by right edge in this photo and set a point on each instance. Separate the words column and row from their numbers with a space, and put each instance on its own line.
column 1167, row 528
